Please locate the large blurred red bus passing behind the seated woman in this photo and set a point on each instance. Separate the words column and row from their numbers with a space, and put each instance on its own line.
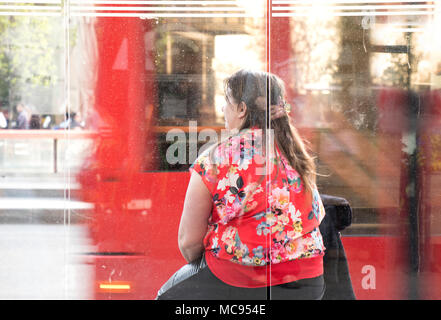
column 376, row 140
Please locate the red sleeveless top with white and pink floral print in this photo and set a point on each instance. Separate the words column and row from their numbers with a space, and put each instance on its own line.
column 260, row 215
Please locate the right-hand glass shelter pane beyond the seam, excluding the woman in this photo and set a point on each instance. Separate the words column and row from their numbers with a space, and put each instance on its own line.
column 365, row 75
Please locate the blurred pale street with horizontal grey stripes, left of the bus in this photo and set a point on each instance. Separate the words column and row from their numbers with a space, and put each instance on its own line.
column 43, row 239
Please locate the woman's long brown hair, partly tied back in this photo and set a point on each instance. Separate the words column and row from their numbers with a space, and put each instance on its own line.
column 253, row 87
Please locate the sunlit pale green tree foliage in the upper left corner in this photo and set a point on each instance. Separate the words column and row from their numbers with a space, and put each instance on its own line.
column 27, row 55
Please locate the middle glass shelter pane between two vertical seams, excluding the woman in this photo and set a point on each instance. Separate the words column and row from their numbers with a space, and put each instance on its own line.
column 158, row 101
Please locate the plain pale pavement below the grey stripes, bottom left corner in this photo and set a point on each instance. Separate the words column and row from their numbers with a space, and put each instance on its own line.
column 44, row 262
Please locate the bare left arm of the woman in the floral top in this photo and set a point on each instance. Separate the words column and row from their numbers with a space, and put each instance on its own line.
column 194, row 219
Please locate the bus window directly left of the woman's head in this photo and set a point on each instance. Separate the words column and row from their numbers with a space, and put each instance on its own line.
column 192, row 57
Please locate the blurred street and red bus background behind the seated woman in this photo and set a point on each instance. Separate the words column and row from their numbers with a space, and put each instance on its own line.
column 90, row 89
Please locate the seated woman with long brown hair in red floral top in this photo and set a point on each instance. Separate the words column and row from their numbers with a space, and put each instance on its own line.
column 252, row 210
